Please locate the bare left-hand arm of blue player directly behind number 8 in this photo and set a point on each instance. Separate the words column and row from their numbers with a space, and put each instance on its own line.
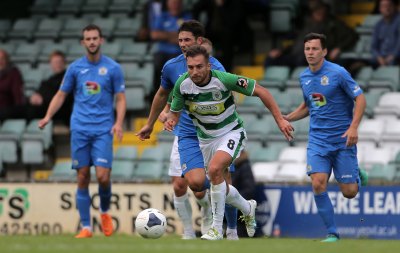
column 159, row 101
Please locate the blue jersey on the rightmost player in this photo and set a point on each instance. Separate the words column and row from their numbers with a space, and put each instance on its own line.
column 329, row 94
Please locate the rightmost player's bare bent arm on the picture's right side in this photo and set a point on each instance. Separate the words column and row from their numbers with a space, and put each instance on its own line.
column 352, row 133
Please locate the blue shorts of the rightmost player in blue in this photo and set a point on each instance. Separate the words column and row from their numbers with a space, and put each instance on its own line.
column 339, row 158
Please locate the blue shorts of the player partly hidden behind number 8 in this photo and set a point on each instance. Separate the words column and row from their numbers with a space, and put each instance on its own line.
column 190, row 154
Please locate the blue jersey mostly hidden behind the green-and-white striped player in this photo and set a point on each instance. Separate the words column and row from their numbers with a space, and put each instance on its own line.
column 172, row 70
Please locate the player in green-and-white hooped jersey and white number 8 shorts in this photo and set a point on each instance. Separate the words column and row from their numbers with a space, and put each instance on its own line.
column 207, row 97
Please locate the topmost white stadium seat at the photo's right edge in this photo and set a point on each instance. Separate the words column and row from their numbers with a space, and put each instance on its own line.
column 388, row 106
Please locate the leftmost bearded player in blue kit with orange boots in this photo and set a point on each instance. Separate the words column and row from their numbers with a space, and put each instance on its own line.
column 94, row 80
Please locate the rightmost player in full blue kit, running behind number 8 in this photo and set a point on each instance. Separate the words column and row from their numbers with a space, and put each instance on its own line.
column 336, row 105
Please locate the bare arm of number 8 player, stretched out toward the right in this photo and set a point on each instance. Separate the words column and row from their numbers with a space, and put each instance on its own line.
column 269, row 101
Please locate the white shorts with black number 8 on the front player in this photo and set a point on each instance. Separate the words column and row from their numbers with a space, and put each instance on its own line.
column 232, row 143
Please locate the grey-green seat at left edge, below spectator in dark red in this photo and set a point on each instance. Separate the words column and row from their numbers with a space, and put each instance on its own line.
column 10, row 136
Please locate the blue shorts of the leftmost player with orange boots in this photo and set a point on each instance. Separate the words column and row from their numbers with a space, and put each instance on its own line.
column 89, row 149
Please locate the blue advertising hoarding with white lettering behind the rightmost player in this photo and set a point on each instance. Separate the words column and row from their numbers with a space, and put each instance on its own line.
column 290, row 211
